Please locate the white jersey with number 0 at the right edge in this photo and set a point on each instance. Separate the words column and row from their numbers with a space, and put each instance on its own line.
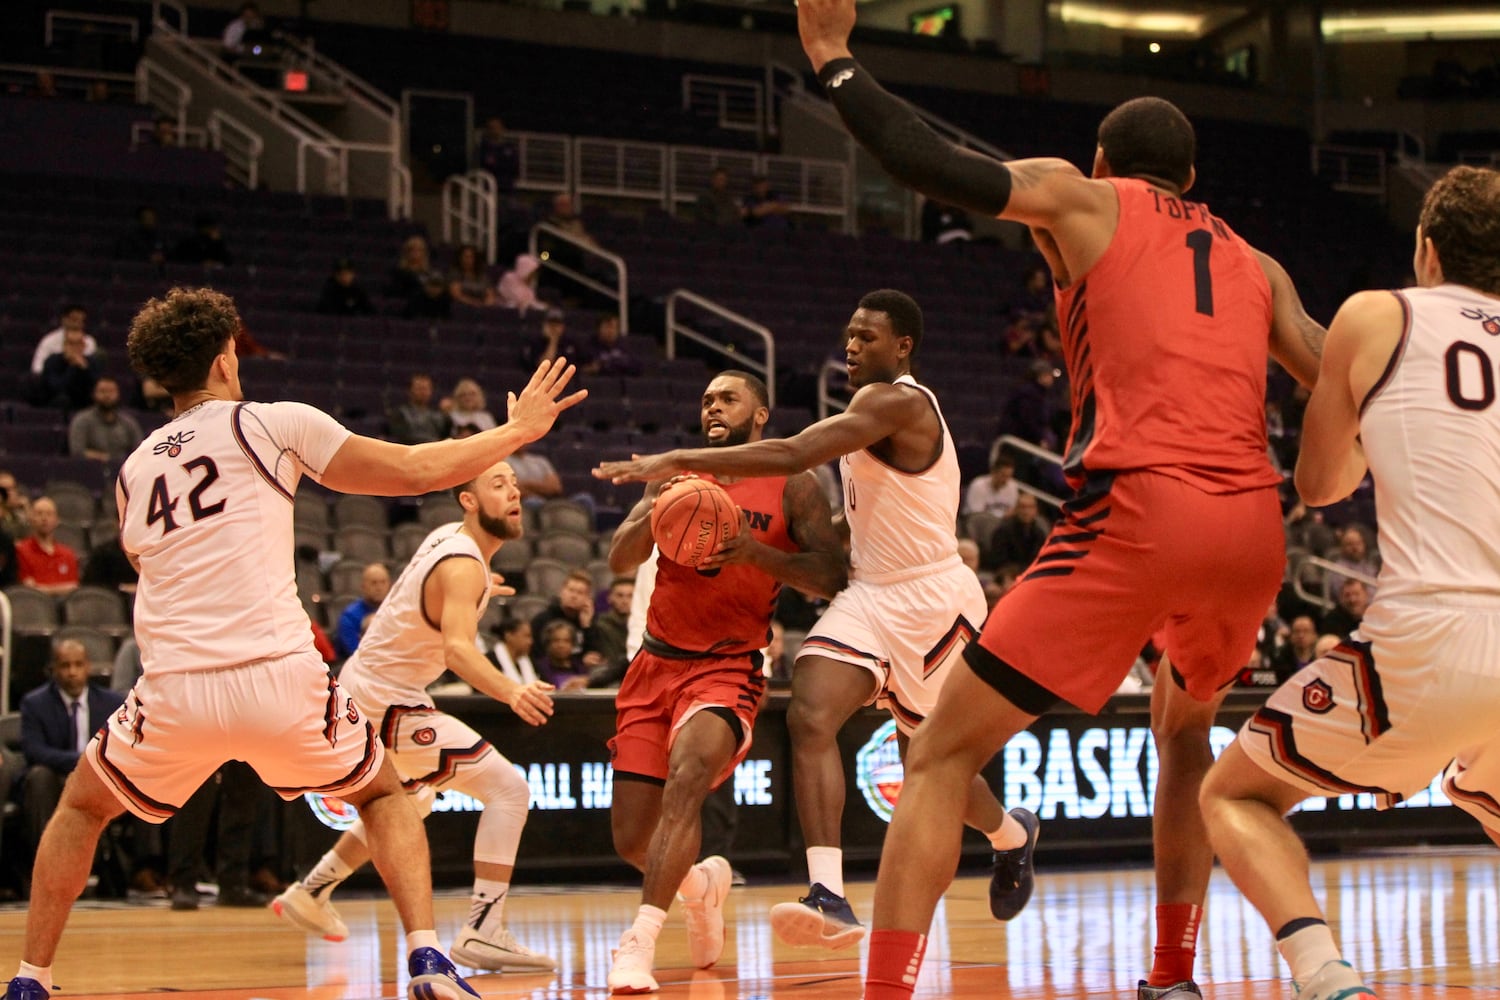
column 1432, row 436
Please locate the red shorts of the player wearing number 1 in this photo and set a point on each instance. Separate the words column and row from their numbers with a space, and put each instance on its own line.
column 1151, row 554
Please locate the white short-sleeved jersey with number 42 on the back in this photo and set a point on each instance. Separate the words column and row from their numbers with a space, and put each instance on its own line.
column 206, row 506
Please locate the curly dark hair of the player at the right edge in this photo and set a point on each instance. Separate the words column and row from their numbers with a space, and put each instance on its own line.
column 1462, row 218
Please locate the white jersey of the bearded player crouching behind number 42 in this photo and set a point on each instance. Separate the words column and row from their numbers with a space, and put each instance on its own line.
column 401, row 653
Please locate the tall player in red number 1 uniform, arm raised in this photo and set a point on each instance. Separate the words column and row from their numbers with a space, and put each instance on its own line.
column 1168, row 319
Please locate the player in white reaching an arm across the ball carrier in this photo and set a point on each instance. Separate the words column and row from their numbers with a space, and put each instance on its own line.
column 911, row 608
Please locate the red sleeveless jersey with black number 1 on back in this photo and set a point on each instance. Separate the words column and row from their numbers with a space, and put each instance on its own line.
column 1166, row 341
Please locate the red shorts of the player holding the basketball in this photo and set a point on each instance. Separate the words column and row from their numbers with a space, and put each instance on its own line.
column 659, row 695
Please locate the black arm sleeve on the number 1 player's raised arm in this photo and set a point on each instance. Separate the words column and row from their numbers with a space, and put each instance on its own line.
column 908, row 149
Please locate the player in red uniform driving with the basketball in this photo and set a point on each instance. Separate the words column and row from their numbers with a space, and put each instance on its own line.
column 691, row 696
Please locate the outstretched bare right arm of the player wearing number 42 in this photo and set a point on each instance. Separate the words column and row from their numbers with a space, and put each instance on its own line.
column 382, row 469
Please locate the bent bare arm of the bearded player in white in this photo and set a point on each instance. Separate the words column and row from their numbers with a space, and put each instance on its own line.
column 449, row 597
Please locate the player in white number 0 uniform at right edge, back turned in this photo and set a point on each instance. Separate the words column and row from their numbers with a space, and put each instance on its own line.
column 1408, row 389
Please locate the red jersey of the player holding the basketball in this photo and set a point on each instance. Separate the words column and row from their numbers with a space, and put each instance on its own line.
column 727, row 612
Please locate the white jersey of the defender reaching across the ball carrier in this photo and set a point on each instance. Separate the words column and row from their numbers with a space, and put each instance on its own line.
column 901, row 521
